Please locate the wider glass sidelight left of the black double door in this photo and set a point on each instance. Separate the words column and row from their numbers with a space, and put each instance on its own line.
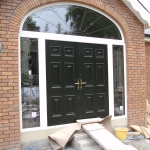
column 30, row 83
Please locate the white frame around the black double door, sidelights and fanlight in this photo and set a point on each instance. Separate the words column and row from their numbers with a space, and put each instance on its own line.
column 42, row 65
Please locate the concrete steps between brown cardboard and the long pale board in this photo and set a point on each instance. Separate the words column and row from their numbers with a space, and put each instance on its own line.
column 82, row 141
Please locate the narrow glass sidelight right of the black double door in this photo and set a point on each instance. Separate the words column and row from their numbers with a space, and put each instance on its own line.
column 118, row 68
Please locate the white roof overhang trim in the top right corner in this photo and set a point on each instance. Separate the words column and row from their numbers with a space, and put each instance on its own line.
column 140, row 12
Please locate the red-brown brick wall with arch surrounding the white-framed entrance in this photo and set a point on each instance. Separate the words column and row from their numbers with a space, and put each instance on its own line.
column 11, row 14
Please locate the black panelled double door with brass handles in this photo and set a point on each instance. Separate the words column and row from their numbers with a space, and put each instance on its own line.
column 77, row 81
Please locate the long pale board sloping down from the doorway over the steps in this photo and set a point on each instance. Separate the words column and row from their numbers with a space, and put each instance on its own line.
column 103, row 137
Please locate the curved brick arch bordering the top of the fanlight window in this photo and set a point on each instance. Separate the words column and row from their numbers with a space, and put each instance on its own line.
column 28, row 5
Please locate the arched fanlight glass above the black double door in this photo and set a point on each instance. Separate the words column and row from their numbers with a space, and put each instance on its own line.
column 71, row 20
